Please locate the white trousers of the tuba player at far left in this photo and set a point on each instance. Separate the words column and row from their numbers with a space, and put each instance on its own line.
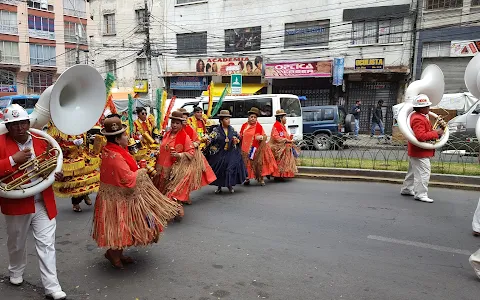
column 44, row 233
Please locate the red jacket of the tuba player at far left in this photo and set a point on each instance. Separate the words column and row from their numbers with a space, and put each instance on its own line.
column 24, row 206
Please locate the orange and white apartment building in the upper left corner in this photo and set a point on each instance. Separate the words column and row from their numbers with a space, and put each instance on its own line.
column 38, row 40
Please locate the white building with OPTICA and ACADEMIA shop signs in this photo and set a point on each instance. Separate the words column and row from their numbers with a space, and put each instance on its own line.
column 290, row 47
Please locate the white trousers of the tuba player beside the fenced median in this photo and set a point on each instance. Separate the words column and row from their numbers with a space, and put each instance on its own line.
column 417, row 177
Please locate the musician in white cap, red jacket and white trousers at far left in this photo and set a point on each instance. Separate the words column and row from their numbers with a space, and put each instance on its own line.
column 37, row 212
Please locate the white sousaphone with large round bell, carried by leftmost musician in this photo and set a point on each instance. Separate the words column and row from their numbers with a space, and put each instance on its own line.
column 74, row 103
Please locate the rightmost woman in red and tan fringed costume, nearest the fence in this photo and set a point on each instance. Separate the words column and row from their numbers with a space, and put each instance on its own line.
column 284, row 151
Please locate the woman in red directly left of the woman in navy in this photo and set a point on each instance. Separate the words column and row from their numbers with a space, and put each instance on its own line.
column 207, row 174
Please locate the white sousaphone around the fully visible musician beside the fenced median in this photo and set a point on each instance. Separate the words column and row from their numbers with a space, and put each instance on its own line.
column 431, row 84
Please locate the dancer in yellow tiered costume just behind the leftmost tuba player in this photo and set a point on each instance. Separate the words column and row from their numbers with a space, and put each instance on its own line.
column 80, row 168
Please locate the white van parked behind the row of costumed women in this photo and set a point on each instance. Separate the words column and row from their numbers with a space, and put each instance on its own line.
column 268, row 104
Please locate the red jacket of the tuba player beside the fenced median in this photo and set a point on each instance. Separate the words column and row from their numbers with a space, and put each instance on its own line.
column 422, row 129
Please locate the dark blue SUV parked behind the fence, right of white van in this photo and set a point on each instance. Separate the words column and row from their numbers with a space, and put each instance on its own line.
column 324, row 126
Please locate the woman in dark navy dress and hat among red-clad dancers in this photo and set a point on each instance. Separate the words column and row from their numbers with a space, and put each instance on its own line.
column 224, row 155
